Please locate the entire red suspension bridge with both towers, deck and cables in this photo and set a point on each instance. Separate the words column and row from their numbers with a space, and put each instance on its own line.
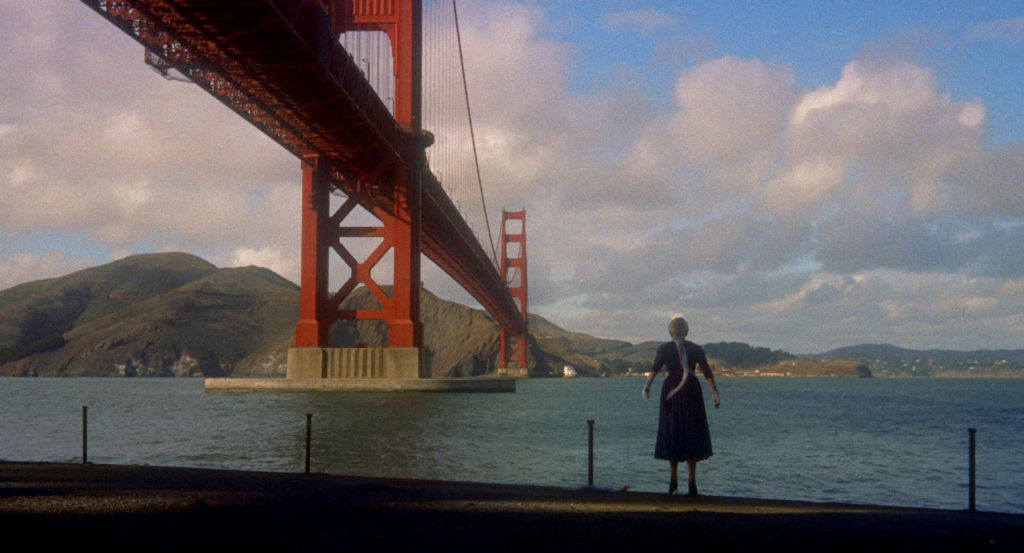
column 371, row 97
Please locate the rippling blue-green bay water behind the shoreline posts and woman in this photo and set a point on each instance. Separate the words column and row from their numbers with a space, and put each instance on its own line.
column 890, row 442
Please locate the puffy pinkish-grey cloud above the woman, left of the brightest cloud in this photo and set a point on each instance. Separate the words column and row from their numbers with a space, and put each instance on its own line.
column 723, row 138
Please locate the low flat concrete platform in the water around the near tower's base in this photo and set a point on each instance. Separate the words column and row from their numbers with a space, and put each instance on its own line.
column 477, row 386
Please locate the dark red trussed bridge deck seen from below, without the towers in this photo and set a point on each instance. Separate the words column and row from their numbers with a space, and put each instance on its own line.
column 277, row 64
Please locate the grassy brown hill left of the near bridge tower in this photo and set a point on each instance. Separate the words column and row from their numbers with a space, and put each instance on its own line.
column 146, row 315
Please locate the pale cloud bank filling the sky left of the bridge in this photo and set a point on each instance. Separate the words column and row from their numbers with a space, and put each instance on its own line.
column 164, row 164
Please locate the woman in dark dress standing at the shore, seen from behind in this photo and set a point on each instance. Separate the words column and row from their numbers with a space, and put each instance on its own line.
column 682, row 423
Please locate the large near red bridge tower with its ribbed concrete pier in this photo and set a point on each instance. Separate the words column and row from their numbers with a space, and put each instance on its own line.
column 400, row 232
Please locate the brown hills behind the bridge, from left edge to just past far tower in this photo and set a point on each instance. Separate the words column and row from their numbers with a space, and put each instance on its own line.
column 177, row 315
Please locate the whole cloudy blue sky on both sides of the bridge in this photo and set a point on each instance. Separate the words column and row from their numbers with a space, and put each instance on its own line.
column 796, row 176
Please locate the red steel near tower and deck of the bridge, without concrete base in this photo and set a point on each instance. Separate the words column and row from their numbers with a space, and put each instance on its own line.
column 279, row 65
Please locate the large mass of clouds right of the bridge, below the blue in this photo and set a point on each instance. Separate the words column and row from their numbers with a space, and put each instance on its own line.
column 749, row 177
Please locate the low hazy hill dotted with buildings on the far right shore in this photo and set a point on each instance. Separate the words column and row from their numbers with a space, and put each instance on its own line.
column 892, row 361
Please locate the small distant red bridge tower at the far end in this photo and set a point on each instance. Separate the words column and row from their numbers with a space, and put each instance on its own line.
column 514, row 270
